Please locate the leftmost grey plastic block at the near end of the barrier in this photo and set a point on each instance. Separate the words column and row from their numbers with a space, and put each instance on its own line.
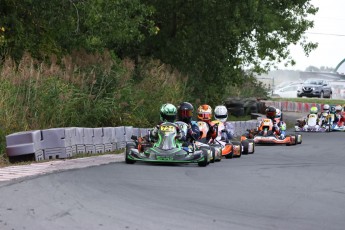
column 25, row 143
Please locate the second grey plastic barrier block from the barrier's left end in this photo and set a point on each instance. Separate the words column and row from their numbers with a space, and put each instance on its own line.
column 56, row 144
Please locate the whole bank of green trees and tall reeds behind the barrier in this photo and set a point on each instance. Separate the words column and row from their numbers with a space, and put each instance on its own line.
column 104, row 70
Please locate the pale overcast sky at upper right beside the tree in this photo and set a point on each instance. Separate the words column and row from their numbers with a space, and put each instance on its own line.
column 329, row 32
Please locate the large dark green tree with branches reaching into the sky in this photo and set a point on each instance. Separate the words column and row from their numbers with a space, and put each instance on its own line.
column 213, row 41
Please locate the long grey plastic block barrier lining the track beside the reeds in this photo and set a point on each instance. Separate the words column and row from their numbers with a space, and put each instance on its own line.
column 62, row 143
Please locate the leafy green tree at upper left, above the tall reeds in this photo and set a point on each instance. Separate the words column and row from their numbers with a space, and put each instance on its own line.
column 44, row 27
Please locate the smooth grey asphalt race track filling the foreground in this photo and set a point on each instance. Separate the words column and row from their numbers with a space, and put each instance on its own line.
column 278, row 187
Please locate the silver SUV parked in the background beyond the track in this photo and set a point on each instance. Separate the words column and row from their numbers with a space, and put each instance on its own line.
column 315, row 88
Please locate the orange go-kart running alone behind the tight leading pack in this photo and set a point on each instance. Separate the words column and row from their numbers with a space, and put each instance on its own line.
column 265, row 134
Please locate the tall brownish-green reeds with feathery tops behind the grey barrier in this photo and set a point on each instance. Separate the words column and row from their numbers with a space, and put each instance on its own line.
column 84, row 90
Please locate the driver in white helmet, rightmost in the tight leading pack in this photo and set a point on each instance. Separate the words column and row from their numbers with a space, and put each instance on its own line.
column 221, row 115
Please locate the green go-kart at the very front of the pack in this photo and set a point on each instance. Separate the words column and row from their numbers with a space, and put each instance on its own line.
column 167, row 149
